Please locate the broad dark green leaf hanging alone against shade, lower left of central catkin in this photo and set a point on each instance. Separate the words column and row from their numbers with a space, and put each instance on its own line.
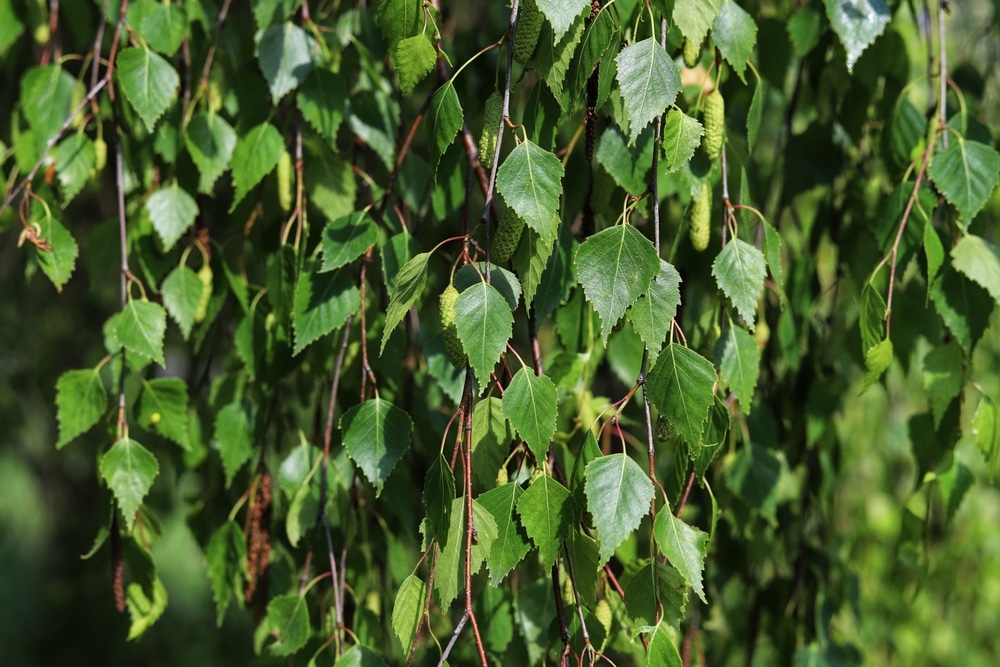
column 376, row 435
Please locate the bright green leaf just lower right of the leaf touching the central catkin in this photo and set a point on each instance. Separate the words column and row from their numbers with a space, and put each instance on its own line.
column 531, row 403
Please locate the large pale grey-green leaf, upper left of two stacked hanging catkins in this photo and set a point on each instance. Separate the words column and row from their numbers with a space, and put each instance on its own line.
column 649, row 82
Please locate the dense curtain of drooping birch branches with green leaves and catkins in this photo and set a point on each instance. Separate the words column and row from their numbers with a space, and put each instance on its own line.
column 291, row 185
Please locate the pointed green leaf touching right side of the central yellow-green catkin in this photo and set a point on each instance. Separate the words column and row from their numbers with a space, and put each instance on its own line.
column 485, row 323
